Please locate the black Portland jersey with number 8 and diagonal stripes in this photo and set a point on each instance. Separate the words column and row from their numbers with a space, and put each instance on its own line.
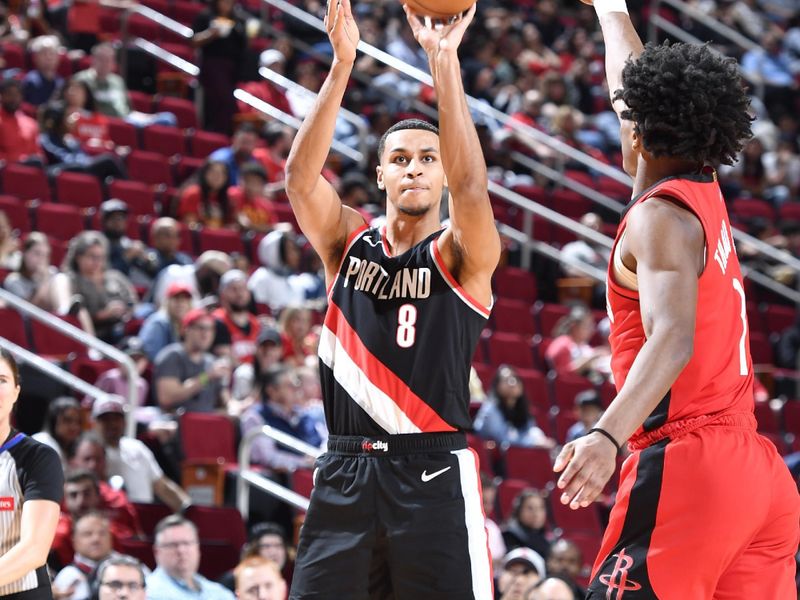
column 397, row 343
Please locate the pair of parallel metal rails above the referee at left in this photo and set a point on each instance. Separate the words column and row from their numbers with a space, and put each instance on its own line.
column 34, row 312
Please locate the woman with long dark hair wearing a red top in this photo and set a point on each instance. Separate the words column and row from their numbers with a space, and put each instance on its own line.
column 205, row 200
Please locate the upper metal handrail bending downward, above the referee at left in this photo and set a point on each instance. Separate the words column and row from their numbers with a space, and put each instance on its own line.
column 80, row 336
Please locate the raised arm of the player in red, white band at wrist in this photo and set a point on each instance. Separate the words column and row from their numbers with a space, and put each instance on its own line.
column 622, row 42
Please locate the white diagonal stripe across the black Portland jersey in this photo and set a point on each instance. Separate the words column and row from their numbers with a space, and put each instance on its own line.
column 379, row 406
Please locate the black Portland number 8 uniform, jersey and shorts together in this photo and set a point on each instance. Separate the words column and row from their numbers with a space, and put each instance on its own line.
column 396, row 508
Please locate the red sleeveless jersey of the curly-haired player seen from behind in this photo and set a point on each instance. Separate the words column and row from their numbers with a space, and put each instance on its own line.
column 719, row 377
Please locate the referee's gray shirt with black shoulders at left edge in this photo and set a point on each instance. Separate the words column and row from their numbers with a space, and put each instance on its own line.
column 29, row 470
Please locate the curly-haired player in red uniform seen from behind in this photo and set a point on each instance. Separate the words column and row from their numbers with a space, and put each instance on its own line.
column 706, row 507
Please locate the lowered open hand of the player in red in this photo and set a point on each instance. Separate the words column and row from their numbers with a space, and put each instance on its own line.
column 587, row 465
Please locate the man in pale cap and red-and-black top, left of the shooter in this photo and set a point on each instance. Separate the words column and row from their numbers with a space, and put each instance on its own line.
column 237, row 328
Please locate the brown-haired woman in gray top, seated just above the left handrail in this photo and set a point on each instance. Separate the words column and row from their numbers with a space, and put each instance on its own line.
column 107, row 295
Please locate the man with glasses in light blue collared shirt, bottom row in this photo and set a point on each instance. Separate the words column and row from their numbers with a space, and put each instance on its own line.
column 177, row 554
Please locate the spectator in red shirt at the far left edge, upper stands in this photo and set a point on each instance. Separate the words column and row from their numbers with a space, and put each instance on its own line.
column 19, row 134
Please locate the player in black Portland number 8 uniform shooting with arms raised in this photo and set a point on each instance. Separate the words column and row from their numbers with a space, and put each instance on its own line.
column 396, row 509
